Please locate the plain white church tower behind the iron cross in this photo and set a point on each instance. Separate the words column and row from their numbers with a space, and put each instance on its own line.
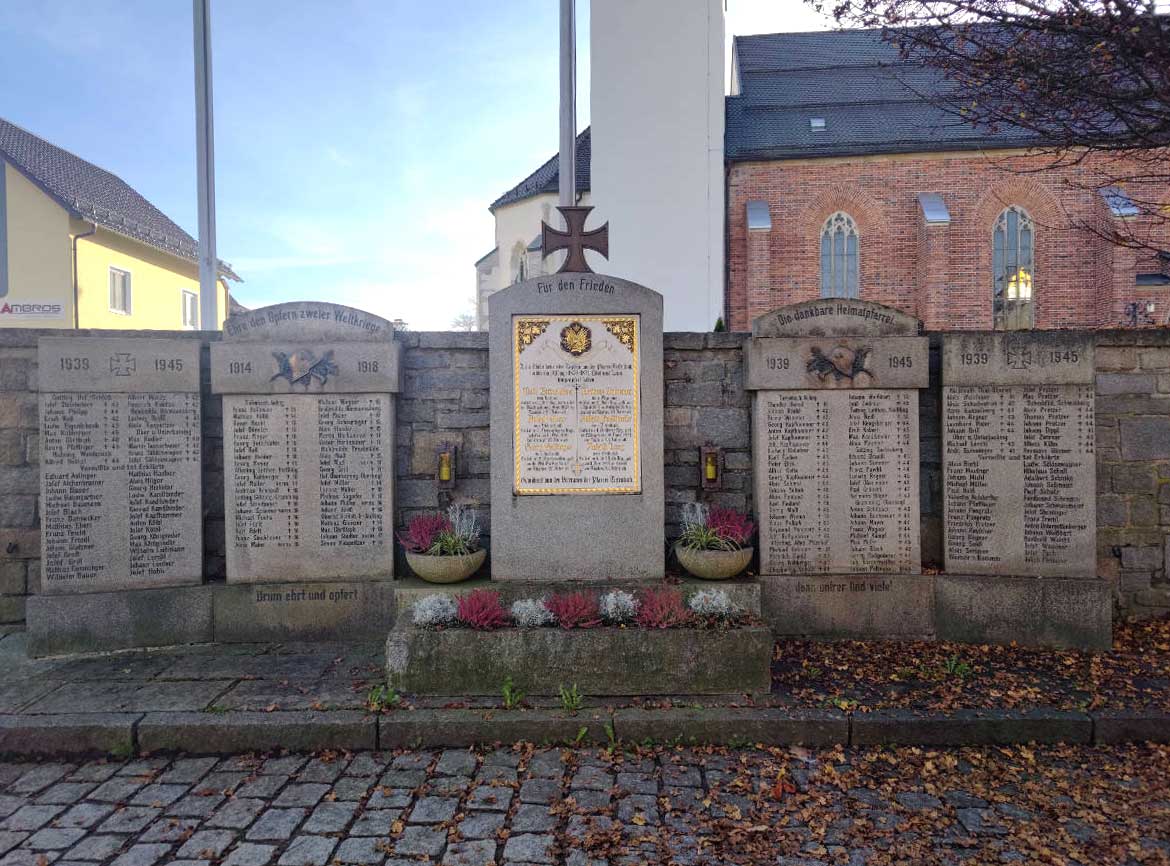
column 657, row 98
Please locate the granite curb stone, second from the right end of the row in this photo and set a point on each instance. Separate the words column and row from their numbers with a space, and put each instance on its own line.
column 971, row 727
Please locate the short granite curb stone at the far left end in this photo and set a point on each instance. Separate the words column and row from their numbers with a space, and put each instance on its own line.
column 81, row 734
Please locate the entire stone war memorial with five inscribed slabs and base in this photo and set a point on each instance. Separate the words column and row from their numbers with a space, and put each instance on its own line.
column 299, row 420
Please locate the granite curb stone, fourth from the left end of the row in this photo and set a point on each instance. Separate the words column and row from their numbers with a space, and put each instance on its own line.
column 733, row 726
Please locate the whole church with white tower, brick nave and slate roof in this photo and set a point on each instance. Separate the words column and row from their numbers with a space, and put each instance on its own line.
column 827, row 173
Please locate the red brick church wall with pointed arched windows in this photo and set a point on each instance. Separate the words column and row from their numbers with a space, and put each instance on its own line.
column 939, row 265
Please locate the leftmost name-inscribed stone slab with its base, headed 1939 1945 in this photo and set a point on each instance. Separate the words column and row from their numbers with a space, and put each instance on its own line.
column 122, row 535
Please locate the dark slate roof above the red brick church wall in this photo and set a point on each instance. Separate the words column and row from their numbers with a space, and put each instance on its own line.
column 871, row 100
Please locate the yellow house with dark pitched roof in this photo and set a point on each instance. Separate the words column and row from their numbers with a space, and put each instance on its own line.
column 80, row 249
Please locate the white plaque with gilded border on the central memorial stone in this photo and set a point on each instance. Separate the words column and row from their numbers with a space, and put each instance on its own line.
column 577, row 410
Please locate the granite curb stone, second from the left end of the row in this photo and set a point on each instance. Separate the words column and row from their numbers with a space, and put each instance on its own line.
column 233, row 733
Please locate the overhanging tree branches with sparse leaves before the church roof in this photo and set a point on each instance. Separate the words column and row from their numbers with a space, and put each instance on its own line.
column 1089, row 81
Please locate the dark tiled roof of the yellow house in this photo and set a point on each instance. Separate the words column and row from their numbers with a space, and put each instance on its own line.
column 95, row 195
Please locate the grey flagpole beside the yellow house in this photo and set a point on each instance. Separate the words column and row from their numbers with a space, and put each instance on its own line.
column 205, row 170
